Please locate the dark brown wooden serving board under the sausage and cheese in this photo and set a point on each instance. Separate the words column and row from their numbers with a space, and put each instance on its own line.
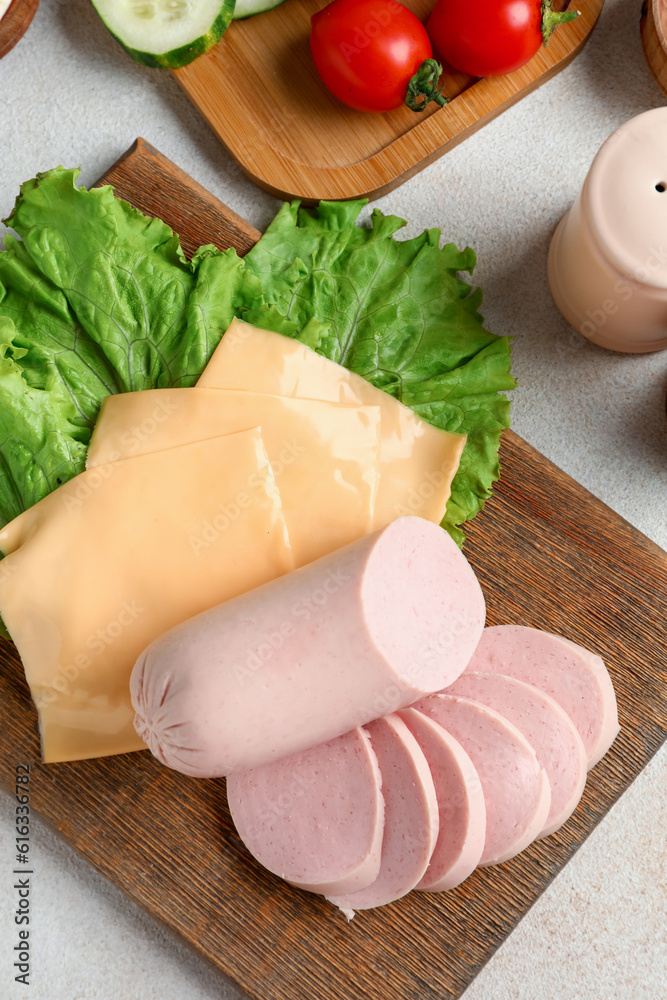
column 548, row 554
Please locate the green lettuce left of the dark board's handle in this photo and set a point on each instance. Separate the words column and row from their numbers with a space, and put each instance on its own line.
column 95, row 299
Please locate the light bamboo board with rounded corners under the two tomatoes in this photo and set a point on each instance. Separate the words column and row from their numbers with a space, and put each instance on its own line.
column 260, row 93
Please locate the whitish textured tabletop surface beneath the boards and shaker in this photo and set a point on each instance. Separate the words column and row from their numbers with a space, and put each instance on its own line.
column 69, row 95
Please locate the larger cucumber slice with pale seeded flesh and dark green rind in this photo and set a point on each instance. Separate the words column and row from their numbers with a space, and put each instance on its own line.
column 167, row 33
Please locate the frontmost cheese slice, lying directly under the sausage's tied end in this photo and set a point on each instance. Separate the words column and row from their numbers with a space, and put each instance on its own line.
column 115, row 557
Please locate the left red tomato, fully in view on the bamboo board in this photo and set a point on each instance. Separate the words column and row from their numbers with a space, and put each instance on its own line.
column 366, row 51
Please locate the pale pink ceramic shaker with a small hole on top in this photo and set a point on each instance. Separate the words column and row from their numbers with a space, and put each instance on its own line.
column 608, row 257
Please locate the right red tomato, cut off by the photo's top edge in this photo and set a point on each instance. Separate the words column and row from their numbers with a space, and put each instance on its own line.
column 490, row 37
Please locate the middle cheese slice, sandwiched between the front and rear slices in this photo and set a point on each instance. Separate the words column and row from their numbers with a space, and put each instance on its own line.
column 325, row 456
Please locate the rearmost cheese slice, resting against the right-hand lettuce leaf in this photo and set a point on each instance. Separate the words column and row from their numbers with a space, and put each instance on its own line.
column 417, row 460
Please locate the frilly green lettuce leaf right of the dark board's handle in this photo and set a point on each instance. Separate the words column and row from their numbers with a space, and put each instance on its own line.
column 397, row 313
